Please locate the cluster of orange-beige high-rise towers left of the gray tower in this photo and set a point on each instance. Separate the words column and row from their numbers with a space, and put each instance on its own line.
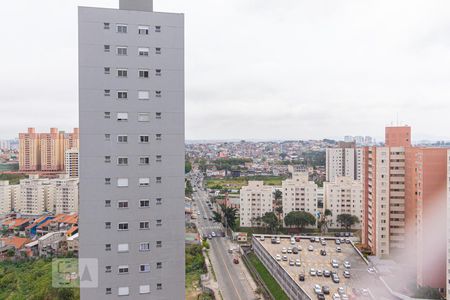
column 45, row 151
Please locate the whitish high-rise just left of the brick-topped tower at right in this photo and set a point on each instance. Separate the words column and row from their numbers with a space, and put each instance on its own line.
column 344, row 161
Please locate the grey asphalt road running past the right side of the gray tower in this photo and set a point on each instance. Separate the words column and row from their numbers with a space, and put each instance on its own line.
column 227, row 274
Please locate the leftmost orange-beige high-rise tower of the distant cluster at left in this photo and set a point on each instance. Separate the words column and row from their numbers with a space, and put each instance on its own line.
column 29, row 151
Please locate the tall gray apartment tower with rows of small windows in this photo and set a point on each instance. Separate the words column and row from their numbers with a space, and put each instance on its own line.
column 131, row 89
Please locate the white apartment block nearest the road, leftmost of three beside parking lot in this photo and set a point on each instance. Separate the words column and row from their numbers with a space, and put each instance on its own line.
column 256, row 199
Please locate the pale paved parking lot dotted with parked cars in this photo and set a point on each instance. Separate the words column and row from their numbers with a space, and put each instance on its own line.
column 361, row 284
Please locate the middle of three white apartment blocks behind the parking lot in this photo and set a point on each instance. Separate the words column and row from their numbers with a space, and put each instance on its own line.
column 299, row 194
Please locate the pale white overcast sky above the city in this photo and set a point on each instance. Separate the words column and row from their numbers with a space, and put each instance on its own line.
column 262, row 69
